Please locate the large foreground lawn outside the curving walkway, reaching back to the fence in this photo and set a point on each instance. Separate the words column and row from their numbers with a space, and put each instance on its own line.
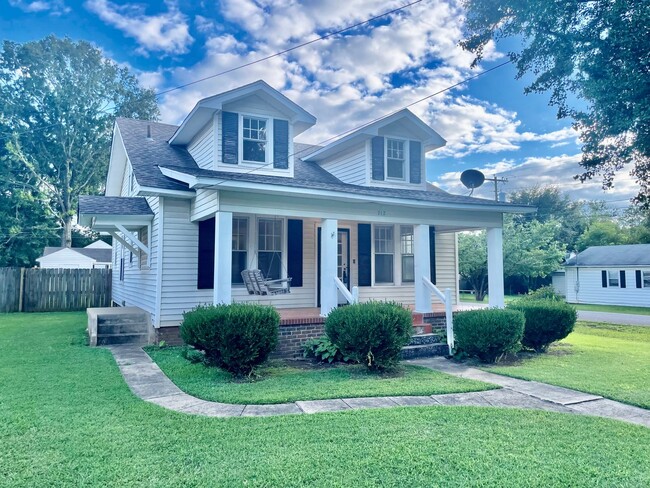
column 68, row 419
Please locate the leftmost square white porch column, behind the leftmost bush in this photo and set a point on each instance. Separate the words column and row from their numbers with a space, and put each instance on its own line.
column 222, row 257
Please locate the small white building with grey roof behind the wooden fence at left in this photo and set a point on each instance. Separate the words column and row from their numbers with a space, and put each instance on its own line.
column 95, row 255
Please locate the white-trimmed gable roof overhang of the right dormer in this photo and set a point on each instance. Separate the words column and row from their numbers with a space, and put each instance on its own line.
column 429, row 137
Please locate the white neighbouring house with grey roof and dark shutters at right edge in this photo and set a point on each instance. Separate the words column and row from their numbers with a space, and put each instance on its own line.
column 610, row 275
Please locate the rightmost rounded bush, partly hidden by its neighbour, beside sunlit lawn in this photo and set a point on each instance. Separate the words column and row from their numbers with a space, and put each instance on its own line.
column 547, row 321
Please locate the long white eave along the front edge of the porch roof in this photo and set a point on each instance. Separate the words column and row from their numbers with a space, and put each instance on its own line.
column 277, row 189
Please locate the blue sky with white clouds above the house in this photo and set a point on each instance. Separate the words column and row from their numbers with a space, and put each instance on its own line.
column 489, row 123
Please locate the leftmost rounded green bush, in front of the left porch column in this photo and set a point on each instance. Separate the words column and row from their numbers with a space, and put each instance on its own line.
column 234, row 337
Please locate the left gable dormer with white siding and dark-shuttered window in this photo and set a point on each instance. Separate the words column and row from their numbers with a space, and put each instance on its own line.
column 247, row 129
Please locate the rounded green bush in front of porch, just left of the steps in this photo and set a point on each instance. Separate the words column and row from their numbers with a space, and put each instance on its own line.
column 371, row 333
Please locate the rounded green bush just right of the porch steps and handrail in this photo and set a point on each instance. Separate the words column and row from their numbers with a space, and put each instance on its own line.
column 488, row 334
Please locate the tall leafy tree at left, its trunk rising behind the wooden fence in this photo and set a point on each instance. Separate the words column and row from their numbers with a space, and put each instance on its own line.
column 58, row 102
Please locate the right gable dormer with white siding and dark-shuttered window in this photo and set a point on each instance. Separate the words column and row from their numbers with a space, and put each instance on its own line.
column 387, row 153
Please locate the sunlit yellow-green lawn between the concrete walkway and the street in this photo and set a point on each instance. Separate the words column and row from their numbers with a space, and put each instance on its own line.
column 604, row 359
